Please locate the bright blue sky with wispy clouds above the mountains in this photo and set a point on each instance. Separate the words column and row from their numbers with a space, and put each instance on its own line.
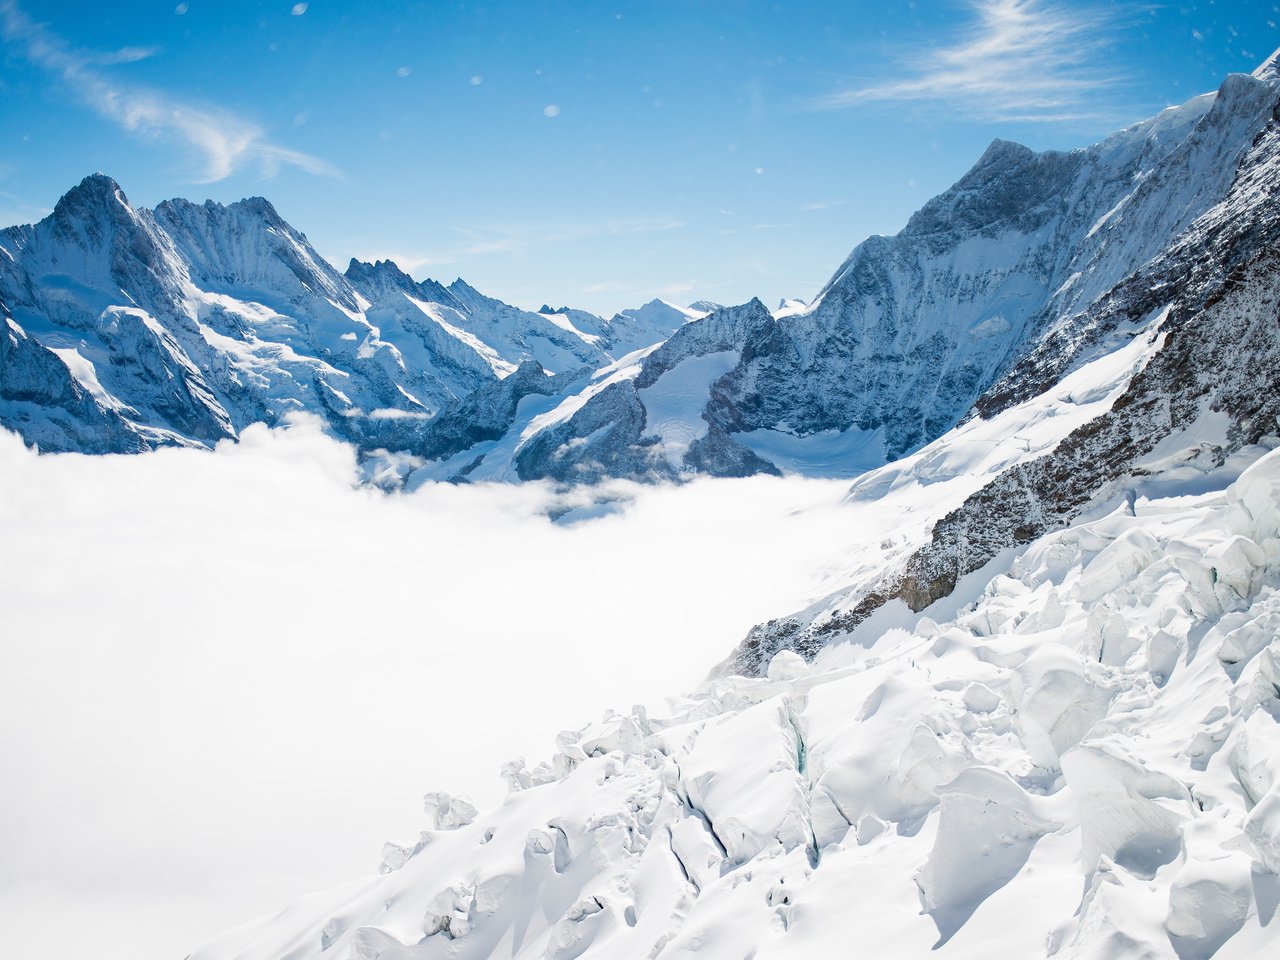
column 593, row 154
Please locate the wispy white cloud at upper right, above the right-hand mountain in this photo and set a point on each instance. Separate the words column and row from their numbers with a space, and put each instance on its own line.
column 1022, row 61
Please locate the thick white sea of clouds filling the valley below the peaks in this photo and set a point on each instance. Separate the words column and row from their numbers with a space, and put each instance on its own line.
column 227, row 678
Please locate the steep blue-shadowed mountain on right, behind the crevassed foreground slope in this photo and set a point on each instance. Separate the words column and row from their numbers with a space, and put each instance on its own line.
column 994, row 292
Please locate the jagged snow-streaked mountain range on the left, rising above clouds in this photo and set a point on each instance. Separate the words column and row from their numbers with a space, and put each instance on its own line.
column 129, row 328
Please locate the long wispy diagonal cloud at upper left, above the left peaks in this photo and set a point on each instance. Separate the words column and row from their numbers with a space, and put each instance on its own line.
column 223, row 141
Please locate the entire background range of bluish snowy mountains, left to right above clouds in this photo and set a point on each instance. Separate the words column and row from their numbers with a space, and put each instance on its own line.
column 186, row 324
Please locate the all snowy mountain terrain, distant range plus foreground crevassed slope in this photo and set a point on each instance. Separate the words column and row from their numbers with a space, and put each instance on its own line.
column 1037, row 714
